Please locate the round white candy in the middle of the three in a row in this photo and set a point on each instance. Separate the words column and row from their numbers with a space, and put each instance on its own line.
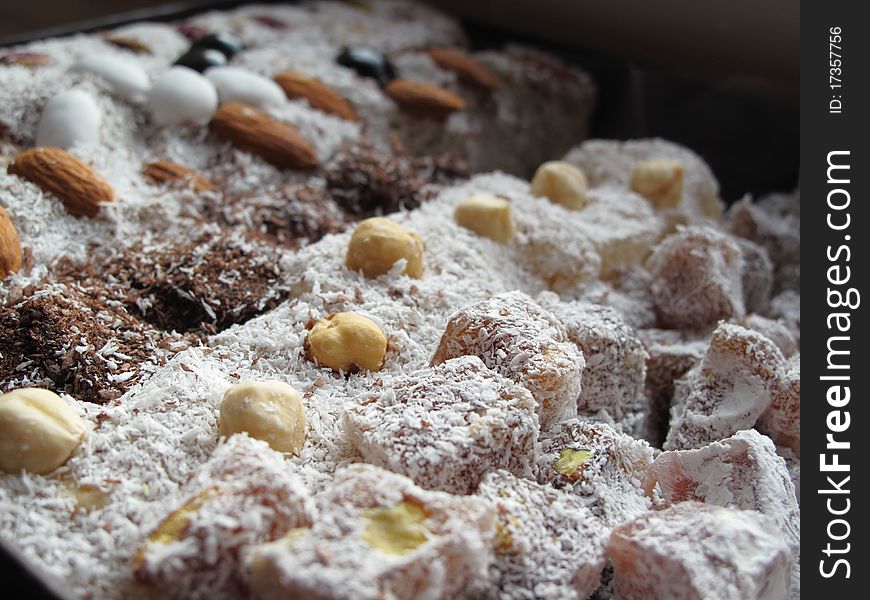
column 180, row 96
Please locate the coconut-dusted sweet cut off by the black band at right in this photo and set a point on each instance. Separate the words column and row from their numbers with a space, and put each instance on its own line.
column 782, row 420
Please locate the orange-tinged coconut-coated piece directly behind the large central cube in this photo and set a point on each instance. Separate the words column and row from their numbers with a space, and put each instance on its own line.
column 525, row 343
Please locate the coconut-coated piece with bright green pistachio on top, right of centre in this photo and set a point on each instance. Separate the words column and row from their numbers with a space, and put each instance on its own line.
column 605, row 469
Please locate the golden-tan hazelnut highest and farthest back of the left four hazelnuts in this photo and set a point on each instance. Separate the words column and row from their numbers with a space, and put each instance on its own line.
column 376, row 245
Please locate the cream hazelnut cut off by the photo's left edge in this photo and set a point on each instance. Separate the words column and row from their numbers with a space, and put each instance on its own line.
column 38, row 431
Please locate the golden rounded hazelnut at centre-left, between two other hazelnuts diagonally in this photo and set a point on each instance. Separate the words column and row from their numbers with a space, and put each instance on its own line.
column 347, row 342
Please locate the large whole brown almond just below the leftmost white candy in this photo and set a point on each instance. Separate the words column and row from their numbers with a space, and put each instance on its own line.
column 81, row 189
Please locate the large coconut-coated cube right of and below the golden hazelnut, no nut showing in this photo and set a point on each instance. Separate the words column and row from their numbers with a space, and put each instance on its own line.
column 447, row 426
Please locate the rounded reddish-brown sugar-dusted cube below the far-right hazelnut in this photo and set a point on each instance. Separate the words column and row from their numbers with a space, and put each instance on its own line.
column 697, row 278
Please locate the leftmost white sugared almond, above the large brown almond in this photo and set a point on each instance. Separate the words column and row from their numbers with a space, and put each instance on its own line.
column 68, row 119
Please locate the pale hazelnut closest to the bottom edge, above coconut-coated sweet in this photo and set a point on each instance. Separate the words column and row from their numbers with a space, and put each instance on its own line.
column 267, row 410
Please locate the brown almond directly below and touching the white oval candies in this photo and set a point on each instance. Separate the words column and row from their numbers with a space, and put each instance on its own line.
column 256, row 132
